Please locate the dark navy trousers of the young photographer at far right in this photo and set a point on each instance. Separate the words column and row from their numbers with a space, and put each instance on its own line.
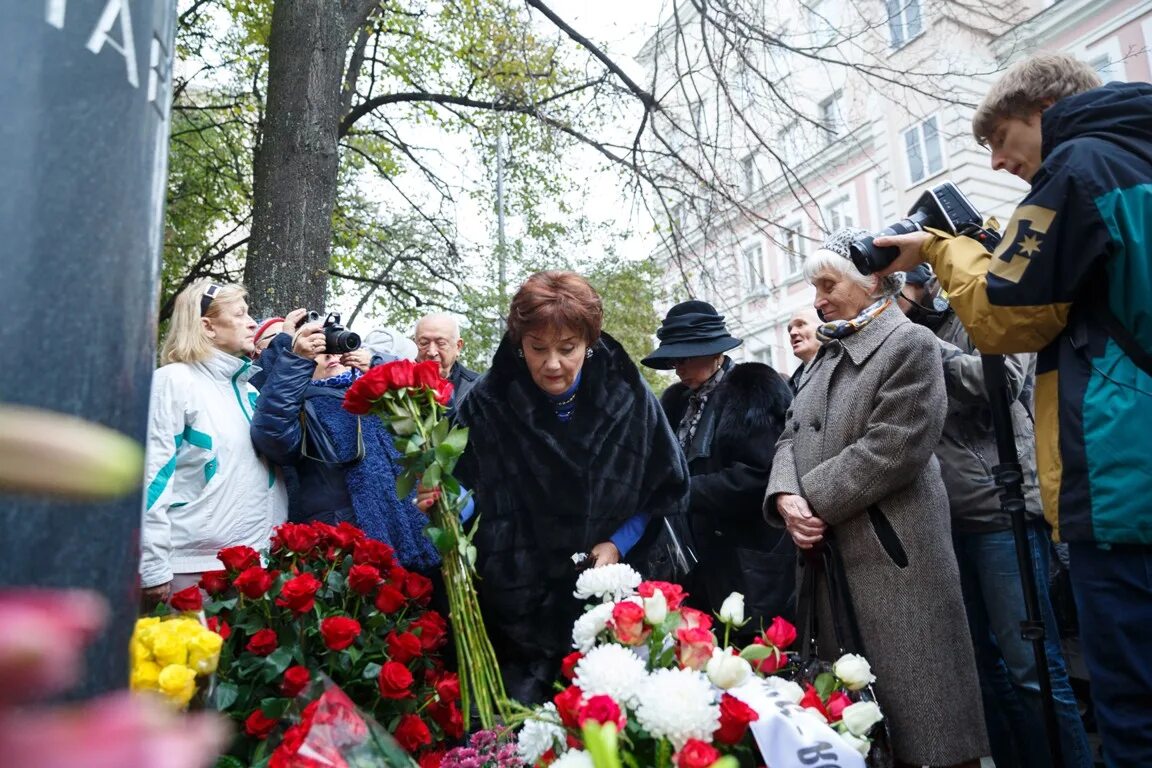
column 1113, row 590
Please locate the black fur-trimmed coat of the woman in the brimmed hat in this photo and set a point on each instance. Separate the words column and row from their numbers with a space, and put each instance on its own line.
column 730, row 461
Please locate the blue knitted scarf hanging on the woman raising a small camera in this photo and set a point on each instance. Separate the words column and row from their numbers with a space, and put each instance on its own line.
column 373, row 485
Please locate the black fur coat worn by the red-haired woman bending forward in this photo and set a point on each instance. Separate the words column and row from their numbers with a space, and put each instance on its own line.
column 547, row 489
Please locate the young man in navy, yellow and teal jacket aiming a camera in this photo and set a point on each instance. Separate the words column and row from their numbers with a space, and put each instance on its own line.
column 1072, row 280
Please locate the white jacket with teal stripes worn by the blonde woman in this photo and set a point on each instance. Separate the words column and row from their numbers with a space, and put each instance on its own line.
column 207, row 488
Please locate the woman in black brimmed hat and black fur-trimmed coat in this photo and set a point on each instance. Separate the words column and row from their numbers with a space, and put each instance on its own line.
column 727, row 419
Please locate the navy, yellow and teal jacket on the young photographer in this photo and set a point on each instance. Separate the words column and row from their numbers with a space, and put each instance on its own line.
column 1082, row 239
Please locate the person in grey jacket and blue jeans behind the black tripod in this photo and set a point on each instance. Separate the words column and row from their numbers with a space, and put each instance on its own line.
column 983, row 539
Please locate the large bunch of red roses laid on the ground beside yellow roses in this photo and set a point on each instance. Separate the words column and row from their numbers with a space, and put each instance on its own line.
column 330, row 602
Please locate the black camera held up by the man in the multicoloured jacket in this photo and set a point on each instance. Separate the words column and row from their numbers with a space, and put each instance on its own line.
column 942, row 208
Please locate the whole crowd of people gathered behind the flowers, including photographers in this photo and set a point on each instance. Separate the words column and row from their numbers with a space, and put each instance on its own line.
column 861, row 490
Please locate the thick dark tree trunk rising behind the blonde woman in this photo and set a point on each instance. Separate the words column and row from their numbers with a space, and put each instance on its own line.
column 297, row 165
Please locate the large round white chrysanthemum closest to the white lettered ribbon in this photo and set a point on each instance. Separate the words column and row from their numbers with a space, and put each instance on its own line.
column 678, row 705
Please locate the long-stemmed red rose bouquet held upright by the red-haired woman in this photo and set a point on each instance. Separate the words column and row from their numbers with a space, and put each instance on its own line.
column 412, row 400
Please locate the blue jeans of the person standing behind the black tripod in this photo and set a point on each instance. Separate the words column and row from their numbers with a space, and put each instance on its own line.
column 1010, row 683
